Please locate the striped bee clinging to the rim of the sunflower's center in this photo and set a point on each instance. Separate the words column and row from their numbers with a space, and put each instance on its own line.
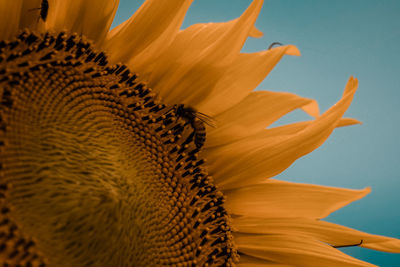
column 197, row 120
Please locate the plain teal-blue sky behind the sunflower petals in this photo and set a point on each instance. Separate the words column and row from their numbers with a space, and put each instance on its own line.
column 337, row 39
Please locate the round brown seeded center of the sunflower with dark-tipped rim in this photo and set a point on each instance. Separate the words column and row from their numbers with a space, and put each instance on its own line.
column 95, row 170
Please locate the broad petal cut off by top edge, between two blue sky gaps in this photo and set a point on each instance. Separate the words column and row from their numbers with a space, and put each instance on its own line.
column 147, row 33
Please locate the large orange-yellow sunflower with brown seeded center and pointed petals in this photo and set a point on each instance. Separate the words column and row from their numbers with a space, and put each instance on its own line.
column 109, row 155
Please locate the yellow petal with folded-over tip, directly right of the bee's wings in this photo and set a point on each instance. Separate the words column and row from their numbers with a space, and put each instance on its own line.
column 254, row 113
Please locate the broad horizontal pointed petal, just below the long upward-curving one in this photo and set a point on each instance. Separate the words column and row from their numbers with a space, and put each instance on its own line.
column 283, row 199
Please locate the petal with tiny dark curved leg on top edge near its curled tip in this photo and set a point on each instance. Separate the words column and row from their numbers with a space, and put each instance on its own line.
column 237, row 81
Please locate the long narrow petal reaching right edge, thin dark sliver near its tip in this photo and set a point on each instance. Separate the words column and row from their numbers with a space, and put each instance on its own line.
column 330, row 233
